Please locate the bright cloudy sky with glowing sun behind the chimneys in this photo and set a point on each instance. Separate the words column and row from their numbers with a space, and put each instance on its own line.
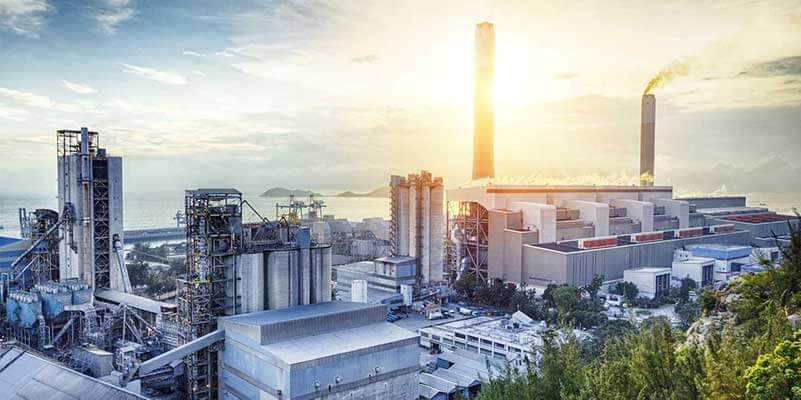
column 339, row 95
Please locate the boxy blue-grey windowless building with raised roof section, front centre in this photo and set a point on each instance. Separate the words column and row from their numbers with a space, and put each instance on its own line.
column 334, row 350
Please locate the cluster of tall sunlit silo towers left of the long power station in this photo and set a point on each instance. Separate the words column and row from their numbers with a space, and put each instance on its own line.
column 416, row 227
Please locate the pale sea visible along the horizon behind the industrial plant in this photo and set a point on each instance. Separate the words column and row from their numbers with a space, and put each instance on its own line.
column 143, row 211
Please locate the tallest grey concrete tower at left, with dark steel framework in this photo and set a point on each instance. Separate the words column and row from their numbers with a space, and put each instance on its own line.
column 90, row 187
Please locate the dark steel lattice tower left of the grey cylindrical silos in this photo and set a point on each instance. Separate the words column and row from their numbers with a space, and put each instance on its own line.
column 213, row 239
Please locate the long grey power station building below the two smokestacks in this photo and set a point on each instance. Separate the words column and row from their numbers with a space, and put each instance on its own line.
column 543, row 234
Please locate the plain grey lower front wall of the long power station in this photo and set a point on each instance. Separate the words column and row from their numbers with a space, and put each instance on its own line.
column 578, row 267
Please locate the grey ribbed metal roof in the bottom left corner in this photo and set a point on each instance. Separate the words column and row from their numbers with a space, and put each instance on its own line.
column 24, row 376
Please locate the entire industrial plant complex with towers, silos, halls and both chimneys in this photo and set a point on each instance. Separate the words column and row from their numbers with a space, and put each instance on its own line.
column 300, row 304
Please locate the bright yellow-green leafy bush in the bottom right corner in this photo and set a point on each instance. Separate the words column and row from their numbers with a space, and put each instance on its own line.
column 777, row 375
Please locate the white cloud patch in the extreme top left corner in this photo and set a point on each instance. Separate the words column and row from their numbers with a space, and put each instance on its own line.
column 24, row 17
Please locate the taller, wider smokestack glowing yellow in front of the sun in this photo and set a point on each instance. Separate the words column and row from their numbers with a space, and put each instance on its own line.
column 483, row 121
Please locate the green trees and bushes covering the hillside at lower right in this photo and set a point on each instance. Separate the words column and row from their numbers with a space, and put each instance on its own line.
column 742, row 347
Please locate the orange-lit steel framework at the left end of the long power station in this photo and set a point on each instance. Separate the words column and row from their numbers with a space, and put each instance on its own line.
column 468, row 226
